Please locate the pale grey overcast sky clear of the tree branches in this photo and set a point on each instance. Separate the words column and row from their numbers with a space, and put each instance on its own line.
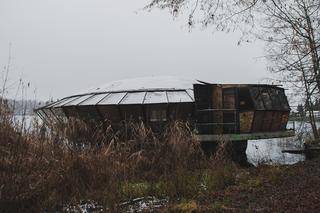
column 65, row 46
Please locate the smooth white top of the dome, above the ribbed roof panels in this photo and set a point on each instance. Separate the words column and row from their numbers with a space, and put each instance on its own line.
column 144, row 84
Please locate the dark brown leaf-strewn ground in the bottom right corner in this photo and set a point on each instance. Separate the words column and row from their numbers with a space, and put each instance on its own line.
column 294, row 188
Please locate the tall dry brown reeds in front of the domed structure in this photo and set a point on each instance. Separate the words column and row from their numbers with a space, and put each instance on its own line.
column 46, row 170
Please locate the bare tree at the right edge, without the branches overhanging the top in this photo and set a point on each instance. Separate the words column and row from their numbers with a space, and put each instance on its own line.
column 292, row 34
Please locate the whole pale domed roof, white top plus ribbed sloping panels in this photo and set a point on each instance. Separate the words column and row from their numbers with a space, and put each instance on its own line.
column 146, row 90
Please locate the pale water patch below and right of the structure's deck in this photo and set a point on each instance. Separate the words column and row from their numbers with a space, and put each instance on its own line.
column 269, row 150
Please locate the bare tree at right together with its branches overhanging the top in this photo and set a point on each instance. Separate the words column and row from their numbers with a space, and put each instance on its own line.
column 290, row 28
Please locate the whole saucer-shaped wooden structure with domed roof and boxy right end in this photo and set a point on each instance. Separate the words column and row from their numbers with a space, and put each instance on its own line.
column 239, row 112
